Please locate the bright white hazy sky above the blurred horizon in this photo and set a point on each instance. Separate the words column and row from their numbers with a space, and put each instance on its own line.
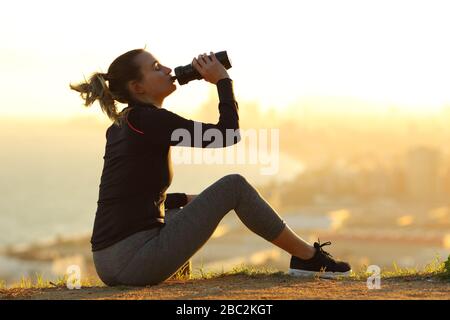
column 383, row 52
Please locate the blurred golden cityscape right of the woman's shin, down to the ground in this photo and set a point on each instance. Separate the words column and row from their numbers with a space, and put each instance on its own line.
column 377, row 213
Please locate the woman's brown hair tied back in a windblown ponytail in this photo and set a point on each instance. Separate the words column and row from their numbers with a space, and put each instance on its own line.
column 122, row 70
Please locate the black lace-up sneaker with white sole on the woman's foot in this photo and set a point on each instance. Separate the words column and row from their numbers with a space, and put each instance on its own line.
column 322, row 264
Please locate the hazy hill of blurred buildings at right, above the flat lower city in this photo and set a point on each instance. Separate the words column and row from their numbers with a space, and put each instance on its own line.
column 422, row 175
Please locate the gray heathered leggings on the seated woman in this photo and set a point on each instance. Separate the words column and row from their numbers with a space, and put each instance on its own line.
column 152, row 256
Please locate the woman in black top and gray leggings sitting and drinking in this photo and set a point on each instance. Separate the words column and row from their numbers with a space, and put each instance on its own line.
column 142, row 235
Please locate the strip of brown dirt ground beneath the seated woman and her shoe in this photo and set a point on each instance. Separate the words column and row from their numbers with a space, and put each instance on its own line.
column 239, row 287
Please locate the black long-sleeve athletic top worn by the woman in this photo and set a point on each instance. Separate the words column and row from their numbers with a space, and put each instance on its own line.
column 137, row 168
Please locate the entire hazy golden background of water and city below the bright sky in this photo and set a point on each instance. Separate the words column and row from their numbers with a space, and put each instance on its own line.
column 376, row 185
